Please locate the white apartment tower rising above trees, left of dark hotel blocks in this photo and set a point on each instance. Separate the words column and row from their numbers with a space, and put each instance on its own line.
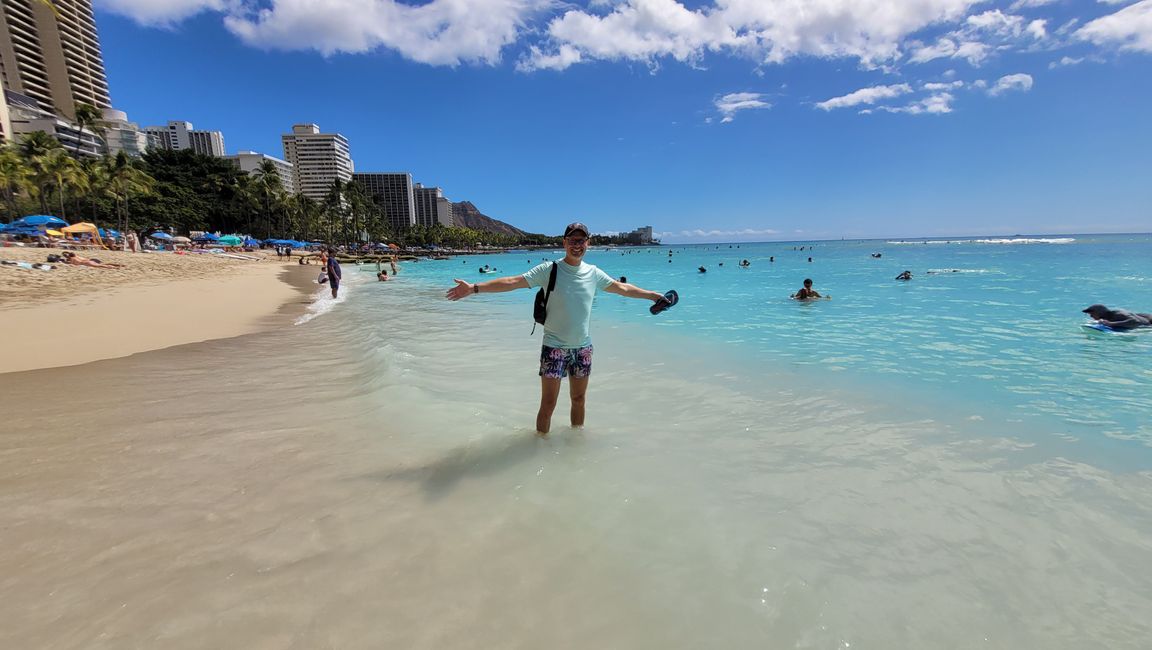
column 317, row 160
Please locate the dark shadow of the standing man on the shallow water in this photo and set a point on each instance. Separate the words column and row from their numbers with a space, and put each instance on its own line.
column 487, row 457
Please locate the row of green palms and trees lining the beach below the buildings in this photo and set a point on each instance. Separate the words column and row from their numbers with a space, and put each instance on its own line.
column 184, row 192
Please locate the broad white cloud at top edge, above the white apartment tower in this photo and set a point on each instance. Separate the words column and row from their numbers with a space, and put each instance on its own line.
column 439, row 33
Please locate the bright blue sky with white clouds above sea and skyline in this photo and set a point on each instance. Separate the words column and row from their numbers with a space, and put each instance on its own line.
column 727, row 120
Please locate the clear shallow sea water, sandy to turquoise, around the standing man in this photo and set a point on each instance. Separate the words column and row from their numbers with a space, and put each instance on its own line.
column 370, row 479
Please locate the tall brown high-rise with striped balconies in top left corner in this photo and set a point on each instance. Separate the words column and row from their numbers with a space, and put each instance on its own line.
column 54, row 58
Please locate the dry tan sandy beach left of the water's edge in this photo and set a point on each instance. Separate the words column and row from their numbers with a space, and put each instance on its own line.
column 74, row 315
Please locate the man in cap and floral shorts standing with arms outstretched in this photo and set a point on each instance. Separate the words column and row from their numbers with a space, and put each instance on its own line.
column 567, row 345
